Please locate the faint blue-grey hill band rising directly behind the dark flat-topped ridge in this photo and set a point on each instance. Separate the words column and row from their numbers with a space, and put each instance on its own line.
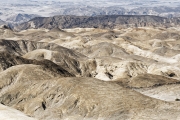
column 162, row 11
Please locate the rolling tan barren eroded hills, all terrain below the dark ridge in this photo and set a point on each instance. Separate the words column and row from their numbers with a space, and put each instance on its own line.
column 91, row 73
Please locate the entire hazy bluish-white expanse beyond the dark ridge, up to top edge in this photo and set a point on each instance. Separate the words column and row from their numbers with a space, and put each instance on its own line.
column 18, row 11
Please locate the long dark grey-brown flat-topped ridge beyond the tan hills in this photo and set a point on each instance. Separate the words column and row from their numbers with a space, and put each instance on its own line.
column 104, row 21
